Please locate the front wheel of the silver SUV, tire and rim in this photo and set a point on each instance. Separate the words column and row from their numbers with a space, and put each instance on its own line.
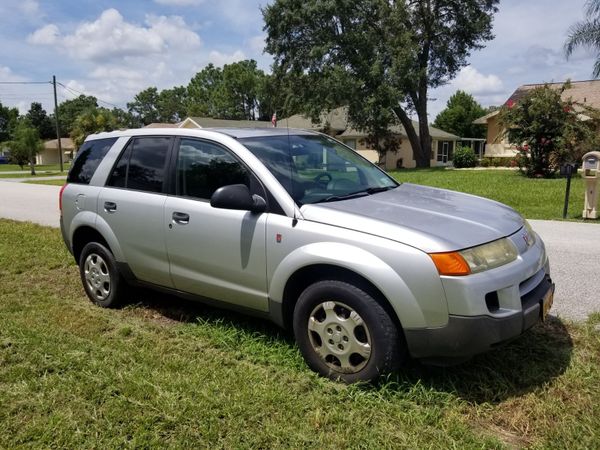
column 331, row 354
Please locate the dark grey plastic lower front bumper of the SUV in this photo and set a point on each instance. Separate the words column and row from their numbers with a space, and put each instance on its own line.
column 466, row 336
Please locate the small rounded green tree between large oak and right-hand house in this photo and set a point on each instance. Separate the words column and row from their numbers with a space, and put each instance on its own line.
column 461, row 110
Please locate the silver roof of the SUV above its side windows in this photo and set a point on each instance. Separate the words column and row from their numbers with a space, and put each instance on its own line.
column 237, row 133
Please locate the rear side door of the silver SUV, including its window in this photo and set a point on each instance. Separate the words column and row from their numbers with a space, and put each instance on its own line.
column 132, row 205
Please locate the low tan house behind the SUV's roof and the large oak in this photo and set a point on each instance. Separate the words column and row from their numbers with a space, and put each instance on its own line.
column 335, row 123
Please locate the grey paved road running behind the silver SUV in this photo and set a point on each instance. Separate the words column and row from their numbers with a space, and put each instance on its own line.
column 574, row 248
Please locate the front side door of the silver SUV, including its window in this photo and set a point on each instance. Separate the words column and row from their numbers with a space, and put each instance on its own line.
column 215, row 253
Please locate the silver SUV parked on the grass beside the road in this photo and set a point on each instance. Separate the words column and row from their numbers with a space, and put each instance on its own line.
column 295, row 227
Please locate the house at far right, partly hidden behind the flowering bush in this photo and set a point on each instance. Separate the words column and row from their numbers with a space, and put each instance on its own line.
column 584, row 92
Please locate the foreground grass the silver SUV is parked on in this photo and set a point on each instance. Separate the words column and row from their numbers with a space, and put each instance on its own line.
column 162, row 372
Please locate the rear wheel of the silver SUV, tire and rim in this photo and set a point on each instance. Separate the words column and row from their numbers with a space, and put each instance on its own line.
column 106, row 287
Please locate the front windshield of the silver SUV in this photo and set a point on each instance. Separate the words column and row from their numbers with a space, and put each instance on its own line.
column 316, row 168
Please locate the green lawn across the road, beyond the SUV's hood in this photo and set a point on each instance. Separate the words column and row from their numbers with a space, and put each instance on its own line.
column 533, row 198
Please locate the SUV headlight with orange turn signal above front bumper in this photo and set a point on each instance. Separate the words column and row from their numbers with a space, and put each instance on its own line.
column 475, row 259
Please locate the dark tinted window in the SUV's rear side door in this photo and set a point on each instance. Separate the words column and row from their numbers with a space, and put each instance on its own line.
column 141, row 166
